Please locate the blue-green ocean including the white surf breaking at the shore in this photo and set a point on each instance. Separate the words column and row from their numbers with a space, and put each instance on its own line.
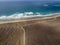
column 24, row 9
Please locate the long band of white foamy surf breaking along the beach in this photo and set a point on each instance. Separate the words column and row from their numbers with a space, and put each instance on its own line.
column 24, row 15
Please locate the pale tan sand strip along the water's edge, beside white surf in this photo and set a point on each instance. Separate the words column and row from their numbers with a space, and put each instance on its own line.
column 29, row 19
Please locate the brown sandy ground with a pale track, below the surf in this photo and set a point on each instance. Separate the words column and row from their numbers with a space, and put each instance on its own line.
column 37, row 32
